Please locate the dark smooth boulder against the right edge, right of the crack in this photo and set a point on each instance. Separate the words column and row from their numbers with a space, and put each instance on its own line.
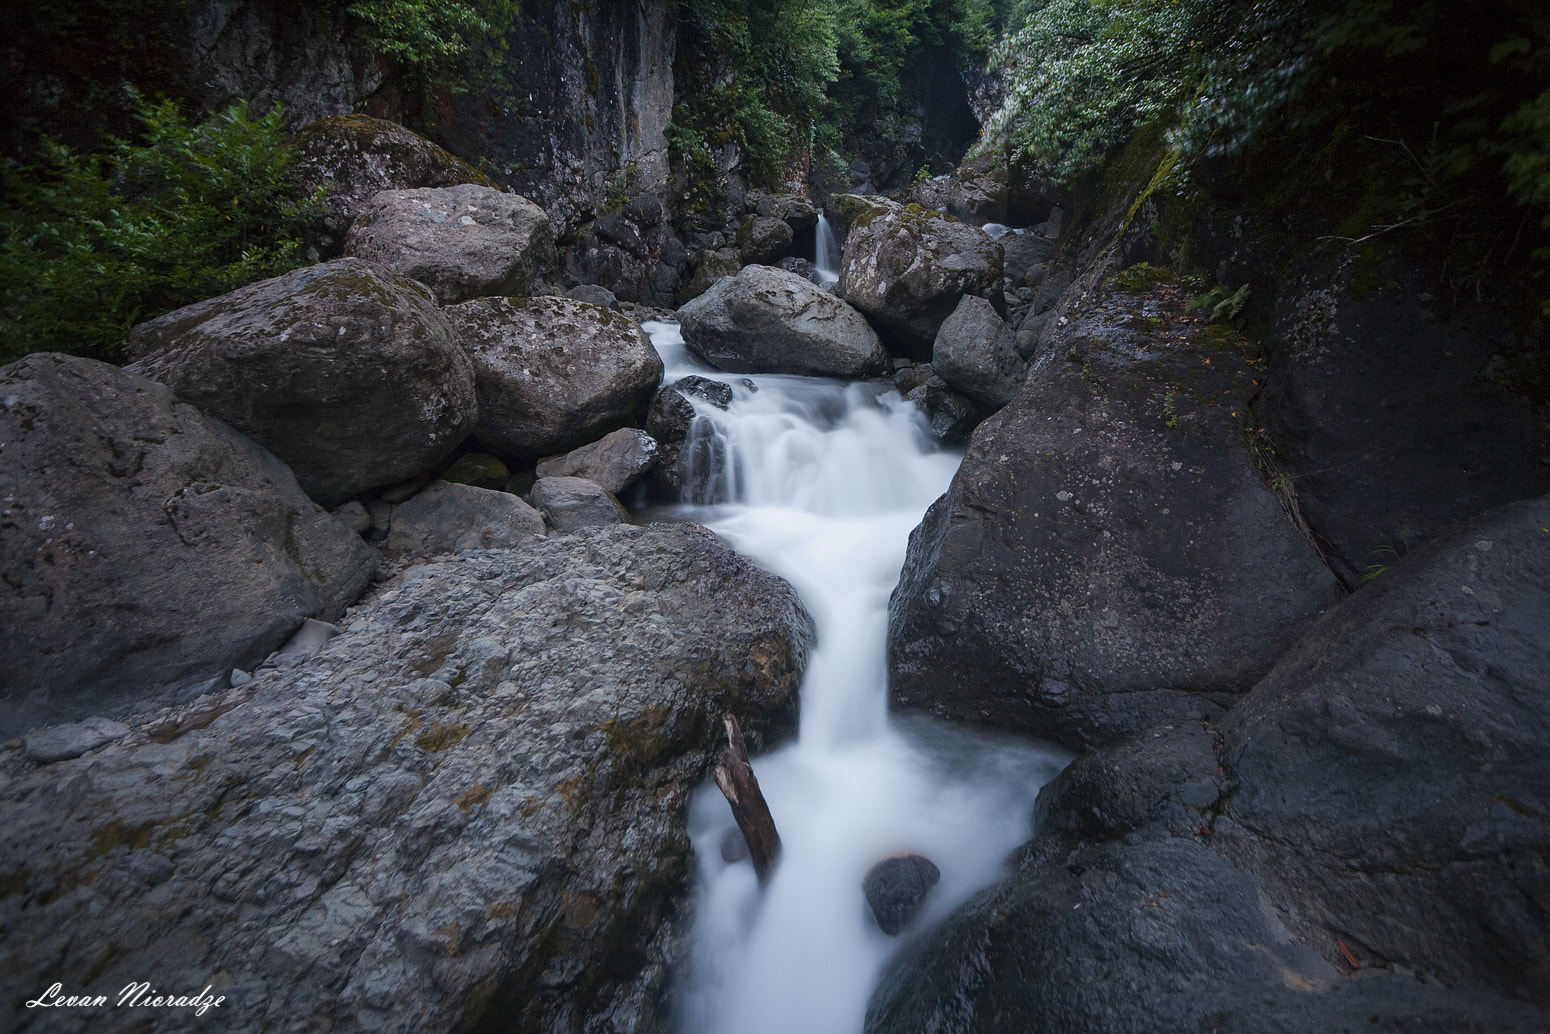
column 1391, row 774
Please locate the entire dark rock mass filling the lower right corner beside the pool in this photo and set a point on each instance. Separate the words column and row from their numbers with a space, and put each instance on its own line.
column 1377, row 801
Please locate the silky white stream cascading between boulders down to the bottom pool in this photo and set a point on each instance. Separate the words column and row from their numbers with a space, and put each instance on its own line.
column 824, row 483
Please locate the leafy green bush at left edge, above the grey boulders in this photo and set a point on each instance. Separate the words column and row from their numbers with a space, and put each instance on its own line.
column 94, row 244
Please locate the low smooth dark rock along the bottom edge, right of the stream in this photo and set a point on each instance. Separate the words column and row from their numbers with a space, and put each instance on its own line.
column 1132, row 937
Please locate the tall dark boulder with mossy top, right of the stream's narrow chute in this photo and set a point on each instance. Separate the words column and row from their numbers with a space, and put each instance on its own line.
column 1109, row 554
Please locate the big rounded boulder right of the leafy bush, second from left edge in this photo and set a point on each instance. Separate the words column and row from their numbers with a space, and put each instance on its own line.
column 346, row 373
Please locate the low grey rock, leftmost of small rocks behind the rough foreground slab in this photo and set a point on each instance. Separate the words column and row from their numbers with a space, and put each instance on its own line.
column 450, row 519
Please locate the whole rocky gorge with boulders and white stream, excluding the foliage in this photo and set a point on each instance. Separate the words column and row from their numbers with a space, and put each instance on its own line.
column 1160, row 587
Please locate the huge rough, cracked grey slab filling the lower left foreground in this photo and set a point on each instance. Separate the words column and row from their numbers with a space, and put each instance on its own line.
column 467, row 810
